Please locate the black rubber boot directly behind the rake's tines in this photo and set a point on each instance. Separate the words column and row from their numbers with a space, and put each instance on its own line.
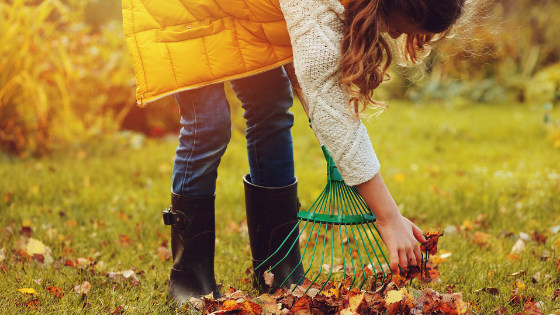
column 271, row 216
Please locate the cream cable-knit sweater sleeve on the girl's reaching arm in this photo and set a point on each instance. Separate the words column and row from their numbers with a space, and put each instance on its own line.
column 316, row 29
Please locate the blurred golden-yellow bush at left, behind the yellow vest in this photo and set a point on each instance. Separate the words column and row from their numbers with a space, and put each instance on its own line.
column 59, row 83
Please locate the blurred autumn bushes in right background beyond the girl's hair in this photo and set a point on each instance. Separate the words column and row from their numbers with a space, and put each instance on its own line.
column 492, row 58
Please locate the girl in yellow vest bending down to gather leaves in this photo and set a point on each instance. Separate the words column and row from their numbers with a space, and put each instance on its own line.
column 341, row 54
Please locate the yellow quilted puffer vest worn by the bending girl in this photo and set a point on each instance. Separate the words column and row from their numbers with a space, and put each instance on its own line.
column 185, row 44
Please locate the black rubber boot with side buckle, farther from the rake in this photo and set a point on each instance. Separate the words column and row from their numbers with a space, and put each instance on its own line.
column 193, row 235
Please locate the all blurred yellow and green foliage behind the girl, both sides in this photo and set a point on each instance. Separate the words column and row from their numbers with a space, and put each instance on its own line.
column 66, row 77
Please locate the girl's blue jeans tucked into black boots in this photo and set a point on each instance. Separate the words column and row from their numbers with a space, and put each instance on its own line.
column 205, row 116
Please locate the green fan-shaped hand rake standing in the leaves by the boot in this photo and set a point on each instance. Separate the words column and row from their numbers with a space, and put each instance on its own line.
column 338, row 208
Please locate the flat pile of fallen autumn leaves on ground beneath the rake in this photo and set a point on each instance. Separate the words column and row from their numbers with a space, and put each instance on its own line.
column 335, row 299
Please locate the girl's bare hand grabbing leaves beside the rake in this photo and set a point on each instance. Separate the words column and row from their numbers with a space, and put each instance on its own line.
column 401, row 238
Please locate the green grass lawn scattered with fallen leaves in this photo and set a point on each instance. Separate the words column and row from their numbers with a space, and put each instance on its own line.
column 453, row 165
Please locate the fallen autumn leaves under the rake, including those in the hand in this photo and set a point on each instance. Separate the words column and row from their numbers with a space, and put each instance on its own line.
column 337, row 297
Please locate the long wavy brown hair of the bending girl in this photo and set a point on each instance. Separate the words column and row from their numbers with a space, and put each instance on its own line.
column 367, row 54
